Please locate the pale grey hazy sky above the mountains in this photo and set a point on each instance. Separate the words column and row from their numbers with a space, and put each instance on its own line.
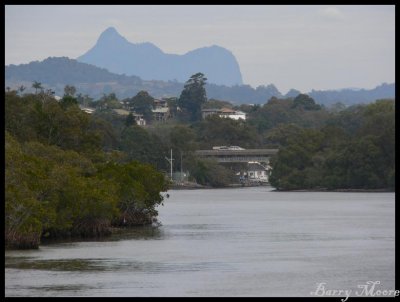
column 303, row 47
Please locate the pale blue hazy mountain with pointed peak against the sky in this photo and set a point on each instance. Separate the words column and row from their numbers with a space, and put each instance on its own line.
column 118, row 55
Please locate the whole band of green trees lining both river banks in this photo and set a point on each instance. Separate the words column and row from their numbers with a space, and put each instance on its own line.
column 72, row 174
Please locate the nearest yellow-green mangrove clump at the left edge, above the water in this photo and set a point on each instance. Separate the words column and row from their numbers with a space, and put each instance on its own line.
column 50, row 192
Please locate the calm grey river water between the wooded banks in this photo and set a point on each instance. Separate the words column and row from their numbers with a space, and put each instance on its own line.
column 225, row 242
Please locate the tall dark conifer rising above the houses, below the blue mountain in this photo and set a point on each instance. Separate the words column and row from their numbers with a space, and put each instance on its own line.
column 192, row 98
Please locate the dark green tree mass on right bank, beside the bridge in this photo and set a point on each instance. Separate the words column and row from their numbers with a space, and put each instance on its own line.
column 335, row 157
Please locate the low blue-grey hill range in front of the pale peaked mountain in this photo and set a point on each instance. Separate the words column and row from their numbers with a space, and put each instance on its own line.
column 54, row 73
